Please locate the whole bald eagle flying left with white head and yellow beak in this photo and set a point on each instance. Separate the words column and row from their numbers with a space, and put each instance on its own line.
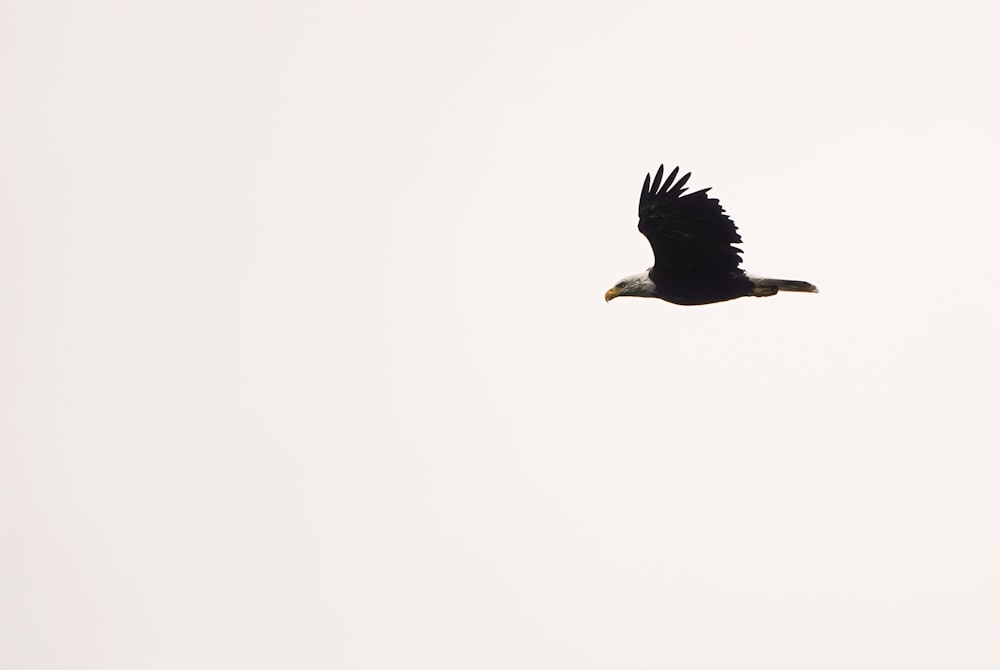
column 694, row 260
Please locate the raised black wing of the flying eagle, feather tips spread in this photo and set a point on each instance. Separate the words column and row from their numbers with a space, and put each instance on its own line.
column 691, row 234
